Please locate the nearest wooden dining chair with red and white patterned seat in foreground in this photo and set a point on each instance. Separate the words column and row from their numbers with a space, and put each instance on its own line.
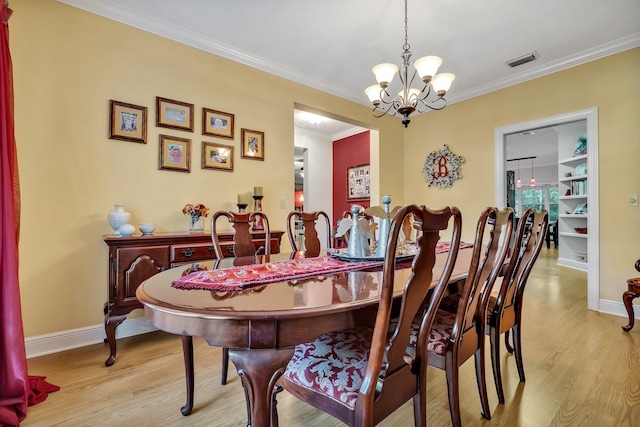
column 361, row 374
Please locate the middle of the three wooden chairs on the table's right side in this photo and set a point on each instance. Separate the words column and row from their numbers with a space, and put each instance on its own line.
column 458, row 327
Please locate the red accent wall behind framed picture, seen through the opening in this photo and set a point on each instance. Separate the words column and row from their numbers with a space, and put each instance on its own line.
column 347, row 152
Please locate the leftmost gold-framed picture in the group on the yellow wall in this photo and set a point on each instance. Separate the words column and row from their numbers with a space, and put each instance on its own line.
column 127, row 122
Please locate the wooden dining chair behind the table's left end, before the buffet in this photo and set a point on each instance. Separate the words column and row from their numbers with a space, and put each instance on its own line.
column 242, row 247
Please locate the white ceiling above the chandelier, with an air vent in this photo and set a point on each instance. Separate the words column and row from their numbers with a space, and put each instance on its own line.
column 331, row 45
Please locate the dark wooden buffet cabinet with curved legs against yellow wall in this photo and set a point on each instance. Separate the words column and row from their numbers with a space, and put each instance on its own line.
column 132, row 260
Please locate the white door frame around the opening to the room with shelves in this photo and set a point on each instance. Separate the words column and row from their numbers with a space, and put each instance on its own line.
column 593, row 244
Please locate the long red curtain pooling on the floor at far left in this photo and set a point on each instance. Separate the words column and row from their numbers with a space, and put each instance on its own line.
column 17, row 389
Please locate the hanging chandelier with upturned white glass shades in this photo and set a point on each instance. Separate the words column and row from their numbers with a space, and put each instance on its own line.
column 409, row 99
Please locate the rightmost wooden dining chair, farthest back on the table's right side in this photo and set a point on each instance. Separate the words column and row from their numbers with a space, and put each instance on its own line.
column 504, row 309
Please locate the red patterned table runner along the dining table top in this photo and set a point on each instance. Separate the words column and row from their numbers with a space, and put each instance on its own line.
column 236, row 278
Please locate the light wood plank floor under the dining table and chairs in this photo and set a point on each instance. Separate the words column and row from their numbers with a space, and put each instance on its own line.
column 582, row 370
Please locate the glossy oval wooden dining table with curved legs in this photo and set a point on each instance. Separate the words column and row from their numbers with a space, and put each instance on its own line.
column 261, row 324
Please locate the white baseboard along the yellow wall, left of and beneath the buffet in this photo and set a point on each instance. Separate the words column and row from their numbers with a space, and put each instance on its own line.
column 66, row 340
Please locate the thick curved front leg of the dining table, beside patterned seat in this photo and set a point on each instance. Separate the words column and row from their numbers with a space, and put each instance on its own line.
column 259, row 370
